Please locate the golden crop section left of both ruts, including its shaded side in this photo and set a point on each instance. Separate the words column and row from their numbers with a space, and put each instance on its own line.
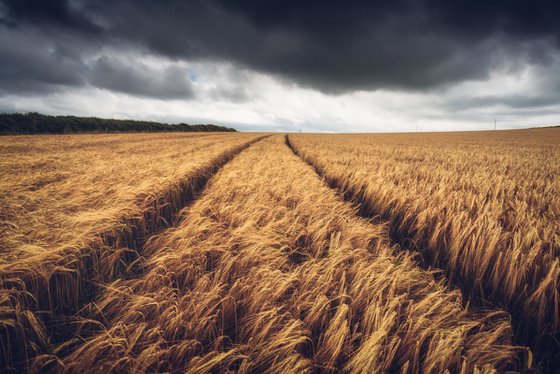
column 75, row 209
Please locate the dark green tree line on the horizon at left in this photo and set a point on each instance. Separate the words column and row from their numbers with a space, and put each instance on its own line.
column 35, row 123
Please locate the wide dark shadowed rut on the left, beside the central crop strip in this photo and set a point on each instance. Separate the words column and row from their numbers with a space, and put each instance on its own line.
column 39, row 307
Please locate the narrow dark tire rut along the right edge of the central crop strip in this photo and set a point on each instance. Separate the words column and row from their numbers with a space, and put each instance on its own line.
column 401, row 240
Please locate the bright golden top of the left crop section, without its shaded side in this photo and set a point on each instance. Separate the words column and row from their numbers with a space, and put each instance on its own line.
column 59, row 191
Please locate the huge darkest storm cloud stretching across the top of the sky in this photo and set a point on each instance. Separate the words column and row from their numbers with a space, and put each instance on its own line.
column 329, row 45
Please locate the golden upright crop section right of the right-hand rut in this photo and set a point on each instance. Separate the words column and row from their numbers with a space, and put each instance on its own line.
column 484, row 207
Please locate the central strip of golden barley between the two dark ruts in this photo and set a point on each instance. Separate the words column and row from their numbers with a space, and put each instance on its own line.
column 271, row 271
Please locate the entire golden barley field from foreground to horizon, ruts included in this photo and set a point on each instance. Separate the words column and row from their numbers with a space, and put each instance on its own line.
column 298, row 253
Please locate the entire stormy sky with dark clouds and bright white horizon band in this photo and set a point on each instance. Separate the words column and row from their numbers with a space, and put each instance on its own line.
column 264, row 65
